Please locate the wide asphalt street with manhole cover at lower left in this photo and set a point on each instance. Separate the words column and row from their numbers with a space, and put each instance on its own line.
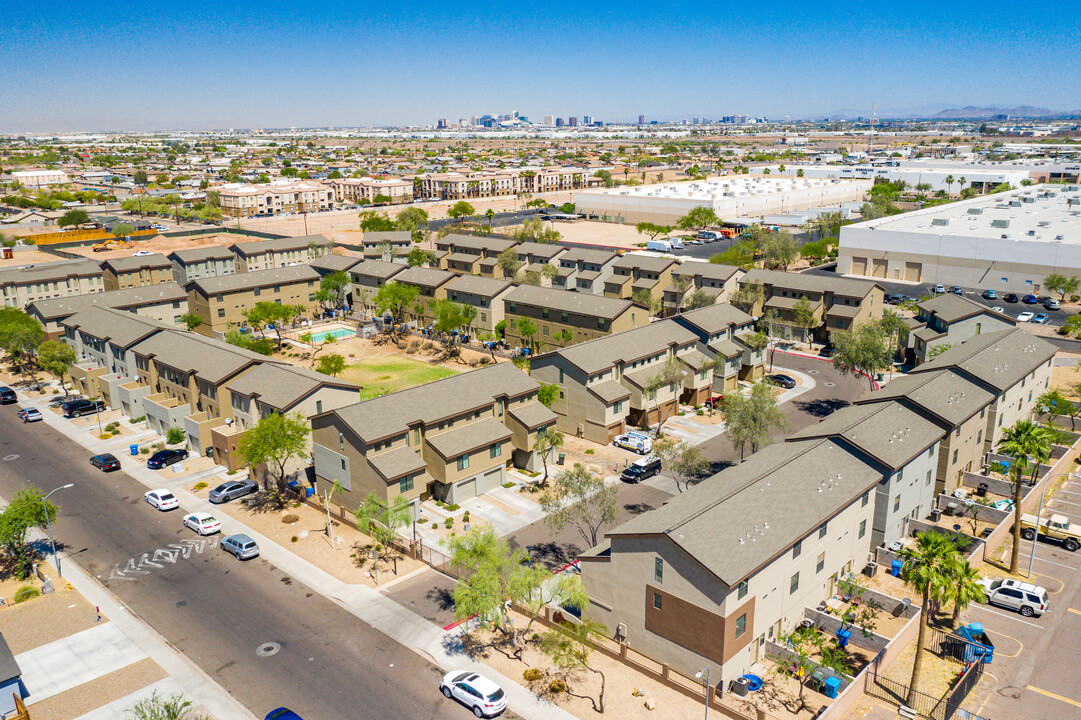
column 216, row 610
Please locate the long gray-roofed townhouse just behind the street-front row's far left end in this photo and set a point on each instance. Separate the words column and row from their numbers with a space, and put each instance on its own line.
column 165, row 303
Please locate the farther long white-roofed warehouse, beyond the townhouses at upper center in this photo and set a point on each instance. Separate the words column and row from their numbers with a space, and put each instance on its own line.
column 739, row 196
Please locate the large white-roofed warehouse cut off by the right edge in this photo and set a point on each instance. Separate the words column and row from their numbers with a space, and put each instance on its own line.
column 1008, row 242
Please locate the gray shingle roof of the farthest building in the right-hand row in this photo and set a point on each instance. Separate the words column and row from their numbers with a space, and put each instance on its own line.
column 999, row 359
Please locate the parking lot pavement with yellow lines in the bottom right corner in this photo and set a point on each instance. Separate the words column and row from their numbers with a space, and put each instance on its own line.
column 1035, row 675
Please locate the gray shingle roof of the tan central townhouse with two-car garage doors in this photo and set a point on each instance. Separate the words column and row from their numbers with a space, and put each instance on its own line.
column 392, row 415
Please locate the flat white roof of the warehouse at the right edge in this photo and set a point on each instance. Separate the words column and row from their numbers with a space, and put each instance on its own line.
column 1050, row 214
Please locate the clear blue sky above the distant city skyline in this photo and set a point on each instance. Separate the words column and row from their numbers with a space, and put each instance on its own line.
column 171, row 65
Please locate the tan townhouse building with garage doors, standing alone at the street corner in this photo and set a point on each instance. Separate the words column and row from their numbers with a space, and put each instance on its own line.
column 452, row 439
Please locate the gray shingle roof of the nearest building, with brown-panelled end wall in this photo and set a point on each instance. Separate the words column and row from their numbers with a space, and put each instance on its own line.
column 744, row 517
